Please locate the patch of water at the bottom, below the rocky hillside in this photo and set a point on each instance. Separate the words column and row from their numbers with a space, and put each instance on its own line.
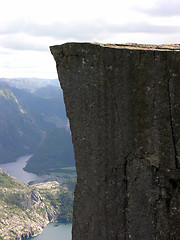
column 55, row 231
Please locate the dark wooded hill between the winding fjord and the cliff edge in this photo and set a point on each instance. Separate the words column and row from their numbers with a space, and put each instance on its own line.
column 54, row 156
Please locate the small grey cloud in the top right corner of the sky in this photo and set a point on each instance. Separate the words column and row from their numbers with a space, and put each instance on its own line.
column 162, row 8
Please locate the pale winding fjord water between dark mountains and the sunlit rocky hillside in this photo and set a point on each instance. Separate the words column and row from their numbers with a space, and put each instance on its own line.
column 15, row 169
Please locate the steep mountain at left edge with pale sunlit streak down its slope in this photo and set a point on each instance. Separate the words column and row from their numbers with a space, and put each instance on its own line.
column 19, row 132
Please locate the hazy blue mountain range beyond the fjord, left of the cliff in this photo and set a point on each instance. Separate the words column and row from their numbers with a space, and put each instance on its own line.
column 33, row 121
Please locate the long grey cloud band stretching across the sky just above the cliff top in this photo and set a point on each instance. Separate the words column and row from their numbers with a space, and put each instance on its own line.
column 84, row 31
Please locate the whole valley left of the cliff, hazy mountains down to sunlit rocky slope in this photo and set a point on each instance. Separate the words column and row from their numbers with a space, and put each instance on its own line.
column 35, row 148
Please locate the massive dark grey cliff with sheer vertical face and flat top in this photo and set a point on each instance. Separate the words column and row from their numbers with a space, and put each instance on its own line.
column 123, row 103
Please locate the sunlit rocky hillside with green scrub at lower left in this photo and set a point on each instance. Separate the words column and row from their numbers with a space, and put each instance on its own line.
column 25, row 209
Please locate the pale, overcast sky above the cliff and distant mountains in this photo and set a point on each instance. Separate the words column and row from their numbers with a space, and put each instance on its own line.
column 29, row 27
